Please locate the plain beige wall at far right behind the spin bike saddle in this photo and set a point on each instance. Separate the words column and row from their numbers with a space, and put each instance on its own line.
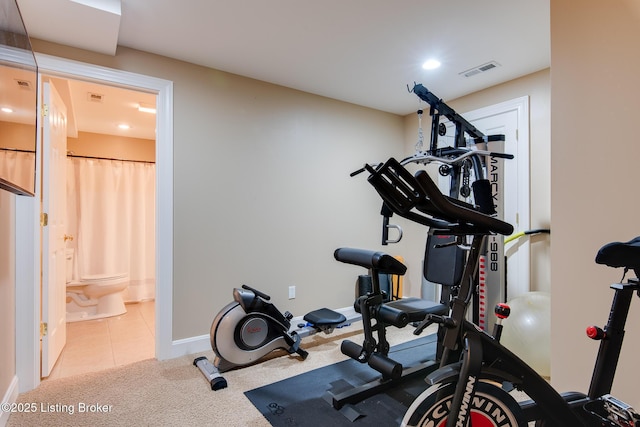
column 595, row 151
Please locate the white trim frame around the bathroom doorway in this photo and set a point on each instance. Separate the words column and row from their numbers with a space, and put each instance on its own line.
column 28, row 234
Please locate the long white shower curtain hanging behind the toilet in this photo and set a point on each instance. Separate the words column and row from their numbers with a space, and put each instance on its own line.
column 111, row 215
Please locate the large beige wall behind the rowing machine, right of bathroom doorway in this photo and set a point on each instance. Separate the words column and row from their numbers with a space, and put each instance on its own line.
column 262, row 193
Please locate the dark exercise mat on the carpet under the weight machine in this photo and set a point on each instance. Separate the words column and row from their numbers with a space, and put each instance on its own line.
column 299, row 401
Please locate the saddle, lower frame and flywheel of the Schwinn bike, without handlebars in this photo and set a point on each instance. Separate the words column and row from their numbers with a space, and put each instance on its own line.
column 486, row 362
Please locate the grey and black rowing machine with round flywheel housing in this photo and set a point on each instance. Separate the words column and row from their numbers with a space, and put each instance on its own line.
column 249, row 328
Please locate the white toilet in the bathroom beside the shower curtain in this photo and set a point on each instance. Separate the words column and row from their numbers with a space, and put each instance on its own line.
column 94, row 296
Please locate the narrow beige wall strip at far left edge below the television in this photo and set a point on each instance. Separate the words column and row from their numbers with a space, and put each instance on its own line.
column 7, row 290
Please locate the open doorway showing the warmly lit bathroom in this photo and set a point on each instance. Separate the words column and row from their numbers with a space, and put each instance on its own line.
column 108, row 227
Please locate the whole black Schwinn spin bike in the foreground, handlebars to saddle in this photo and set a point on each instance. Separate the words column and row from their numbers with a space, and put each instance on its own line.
column 471, row 384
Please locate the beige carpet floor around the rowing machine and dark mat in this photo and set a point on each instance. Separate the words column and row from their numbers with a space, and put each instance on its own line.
column 174, row 392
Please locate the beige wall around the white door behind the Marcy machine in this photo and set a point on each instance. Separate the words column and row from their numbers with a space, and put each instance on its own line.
column 536, row 87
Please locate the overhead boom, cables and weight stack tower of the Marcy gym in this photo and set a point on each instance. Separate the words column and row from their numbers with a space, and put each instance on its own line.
column 474, row 166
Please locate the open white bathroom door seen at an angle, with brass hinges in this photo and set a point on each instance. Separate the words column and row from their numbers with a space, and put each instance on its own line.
column 54, row 158
